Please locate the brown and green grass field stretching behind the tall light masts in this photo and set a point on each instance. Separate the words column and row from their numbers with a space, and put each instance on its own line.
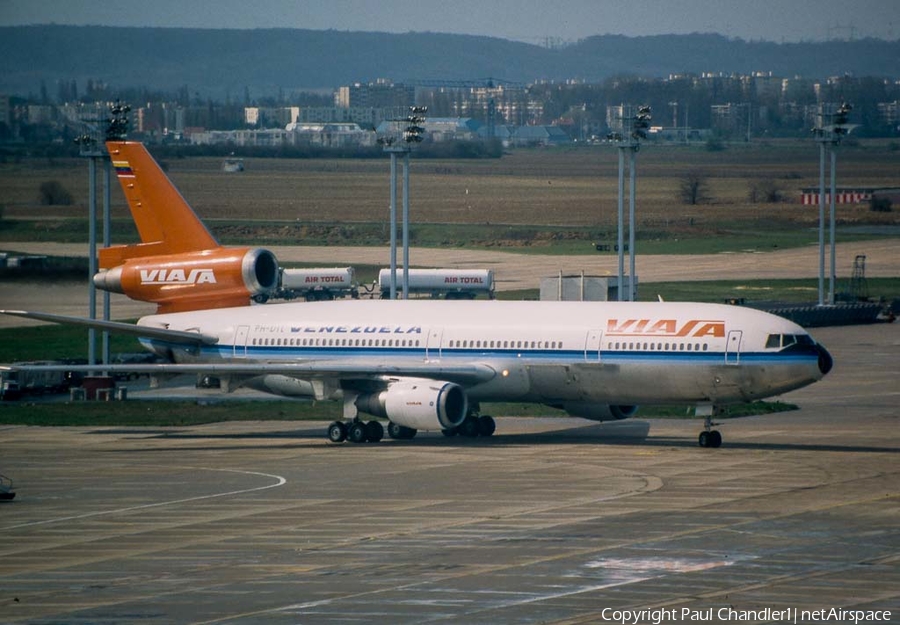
column 555, row 199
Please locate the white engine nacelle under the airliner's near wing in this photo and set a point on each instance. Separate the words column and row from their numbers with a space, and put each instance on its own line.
column 419, row 404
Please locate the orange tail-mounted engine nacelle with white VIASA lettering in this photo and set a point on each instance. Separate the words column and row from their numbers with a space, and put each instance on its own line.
column 218, row 278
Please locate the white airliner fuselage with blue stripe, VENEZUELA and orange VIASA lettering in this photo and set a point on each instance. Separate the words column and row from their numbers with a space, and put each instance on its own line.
column 548, row 352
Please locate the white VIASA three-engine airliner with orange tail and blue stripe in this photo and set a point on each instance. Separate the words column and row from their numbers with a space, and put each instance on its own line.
column 431, row 365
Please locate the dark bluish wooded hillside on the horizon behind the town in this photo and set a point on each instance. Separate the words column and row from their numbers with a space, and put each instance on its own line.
column 221, row 62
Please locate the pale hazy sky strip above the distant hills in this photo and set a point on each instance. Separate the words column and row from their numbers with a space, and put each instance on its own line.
column 532, row 21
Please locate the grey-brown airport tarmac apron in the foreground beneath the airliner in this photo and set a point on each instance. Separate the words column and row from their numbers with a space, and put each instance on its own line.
column 550, row 521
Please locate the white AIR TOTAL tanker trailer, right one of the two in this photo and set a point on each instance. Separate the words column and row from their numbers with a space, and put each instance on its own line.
column 445, row 283
